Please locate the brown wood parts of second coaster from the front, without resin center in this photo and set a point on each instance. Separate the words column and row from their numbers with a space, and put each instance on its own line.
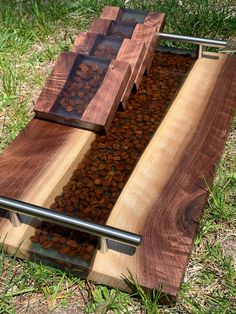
column 130, row 51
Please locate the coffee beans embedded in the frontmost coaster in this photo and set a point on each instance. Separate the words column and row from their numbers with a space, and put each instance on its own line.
column 81, row 88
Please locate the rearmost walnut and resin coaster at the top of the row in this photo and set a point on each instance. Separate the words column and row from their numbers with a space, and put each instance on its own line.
column 155, row 19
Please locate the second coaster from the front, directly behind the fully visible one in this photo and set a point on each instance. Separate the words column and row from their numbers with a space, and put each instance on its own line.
column 130, row 51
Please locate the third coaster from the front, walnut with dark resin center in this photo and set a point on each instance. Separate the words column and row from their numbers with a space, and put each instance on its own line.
column 146, row 34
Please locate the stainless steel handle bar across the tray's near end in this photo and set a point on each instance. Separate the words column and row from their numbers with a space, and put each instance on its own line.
column 108, row 232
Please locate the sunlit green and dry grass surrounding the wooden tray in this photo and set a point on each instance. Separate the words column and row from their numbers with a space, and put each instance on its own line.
column 32, row 33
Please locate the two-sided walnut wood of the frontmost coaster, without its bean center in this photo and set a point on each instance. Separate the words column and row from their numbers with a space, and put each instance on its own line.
column 98, row 113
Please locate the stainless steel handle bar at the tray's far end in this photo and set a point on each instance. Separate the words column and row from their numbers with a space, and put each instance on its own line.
column 193, row 40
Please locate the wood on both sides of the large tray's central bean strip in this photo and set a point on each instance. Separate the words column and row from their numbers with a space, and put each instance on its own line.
column 165, row 194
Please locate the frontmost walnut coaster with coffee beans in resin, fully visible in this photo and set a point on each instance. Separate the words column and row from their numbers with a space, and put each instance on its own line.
column 83, row 91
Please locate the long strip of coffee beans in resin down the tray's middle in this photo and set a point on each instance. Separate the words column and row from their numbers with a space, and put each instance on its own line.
column 99, row 179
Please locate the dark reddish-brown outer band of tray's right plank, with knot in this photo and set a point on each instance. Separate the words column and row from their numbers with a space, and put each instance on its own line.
column 169, row 231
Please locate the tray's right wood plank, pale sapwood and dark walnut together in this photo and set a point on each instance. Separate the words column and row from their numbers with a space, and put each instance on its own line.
column 171, row 174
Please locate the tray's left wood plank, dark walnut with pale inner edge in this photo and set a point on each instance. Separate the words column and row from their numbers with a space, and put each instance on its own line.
column 34, row 169
